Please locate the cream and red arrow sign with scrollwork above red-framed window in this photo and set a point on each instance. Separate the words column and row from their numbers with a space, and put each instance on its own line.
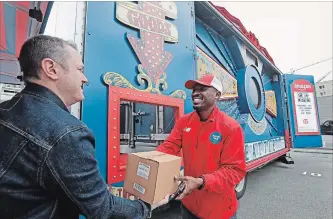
column 150, row 19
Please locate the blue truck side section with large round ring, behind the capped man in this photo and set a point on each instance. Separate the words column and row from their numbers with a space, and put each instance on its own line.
column 254, row 101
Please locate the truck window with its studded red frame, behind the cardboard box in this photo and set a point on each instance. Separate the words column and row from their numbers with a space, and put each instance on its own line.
column 137, row 121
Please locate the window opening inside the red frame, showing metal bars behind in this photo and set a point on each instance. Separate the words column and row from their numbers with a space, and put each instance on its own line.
column 143, row 126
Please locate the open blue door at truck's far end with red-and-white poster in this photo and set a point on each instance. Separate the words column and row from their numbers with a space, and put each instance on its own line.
column 303, row 116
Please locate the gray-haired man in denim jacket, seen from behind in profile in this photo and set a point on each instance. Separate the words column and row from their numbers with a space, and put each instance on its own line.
column 47, row 164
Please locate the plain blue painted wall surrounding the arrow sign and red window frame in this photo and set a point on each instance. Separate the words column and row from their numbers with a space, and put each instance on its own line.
column 108, row 50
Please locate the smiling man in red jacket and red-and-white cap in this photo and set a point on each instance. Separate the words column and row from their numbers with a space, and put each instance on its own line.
column 213, row 150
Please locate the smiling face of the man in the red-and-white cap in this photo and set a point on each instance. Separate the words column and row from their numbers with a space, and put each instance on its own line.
column 203, row 97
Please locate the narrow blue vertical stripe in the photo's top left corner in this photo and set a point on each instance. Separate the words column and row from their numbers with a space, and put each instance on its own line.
column 10, row 26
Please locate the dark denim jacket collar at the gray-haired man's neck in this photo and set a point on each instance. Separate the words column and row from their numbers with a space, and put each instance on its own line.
column 44, row 92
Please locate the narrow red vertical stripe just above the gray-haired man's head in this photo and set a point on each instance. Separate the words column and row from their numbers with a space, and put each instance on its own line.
column 21, row 30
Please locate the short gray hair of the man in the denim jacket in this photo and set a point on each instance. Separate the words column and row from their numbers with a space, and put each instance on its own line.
column 39, row 47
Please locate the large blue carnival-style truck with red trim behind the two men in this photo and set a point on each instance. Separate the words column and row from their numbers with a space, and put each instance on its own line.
column 137, row 57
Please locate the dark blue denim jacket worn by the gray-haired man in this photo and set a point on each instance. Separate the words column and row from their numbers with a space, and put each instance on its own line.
column 47, row 164
